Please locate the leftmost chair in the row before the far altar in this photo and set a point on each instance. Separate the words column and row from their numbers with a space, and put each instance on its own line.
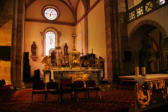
column 39, row 88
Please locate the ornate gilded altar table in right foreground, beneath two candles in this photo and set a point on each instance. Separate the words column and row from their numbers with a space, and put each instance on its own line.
column 146, row 85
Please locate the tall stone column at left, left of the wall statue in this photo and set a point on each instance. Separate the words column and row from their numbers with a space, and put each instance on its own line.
column 17, row 43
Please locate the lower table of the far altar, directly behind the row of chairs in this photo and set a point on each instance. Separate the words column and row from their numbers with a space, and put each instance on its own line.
column 81, row 73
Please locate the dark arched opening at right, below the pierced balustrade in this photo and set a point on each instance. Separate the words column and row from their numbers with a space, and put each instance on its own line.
column 146, row 46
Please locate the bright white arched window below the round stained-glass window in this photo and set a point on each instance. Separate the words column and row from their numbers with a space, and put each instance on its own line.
column 50, row 42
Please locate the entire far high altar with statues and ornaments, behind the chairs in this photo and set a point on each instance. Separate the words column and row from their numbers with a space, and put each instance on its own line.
column 72, row 65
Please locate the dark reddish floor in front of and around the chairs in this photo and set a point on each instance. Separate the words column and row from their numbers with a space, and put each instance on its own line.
column 114, row 99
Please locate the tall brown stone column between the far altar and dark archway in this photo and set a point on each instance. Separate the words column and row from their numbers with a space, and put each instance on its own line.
column 113, row 43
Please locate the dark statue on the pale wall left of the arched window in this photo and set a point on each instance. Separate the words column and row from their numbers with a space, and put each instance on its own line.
column 33, row 51
